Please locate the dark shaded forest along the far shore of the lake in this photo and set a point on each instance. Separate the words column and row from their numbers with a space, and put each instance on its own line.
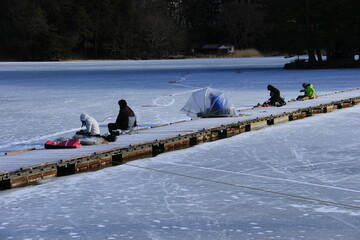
column 53, row 30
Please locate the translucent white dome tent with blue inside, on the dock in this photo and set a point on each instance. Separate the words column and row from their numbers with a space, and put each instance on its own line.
column 208, row 102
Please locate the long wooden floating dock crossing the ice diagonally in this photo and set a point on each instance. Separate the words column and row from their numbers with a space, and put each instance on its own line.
column 27, row 167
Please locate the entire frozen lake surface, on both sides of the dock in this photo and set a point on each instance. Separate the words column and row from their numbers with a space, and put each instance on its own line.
column 268, row 184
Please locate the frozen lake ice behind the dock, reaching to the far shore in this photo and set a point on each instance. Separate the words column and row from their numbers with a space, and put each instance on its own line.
column 42, row 101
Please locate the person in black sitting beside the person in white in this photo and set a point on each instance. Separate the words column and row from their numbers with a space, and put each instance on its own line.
column 122, row 120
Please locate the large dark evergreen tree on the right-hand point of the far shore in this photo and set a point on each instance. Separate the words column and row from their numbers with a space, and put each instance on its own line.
column 313, row 25
